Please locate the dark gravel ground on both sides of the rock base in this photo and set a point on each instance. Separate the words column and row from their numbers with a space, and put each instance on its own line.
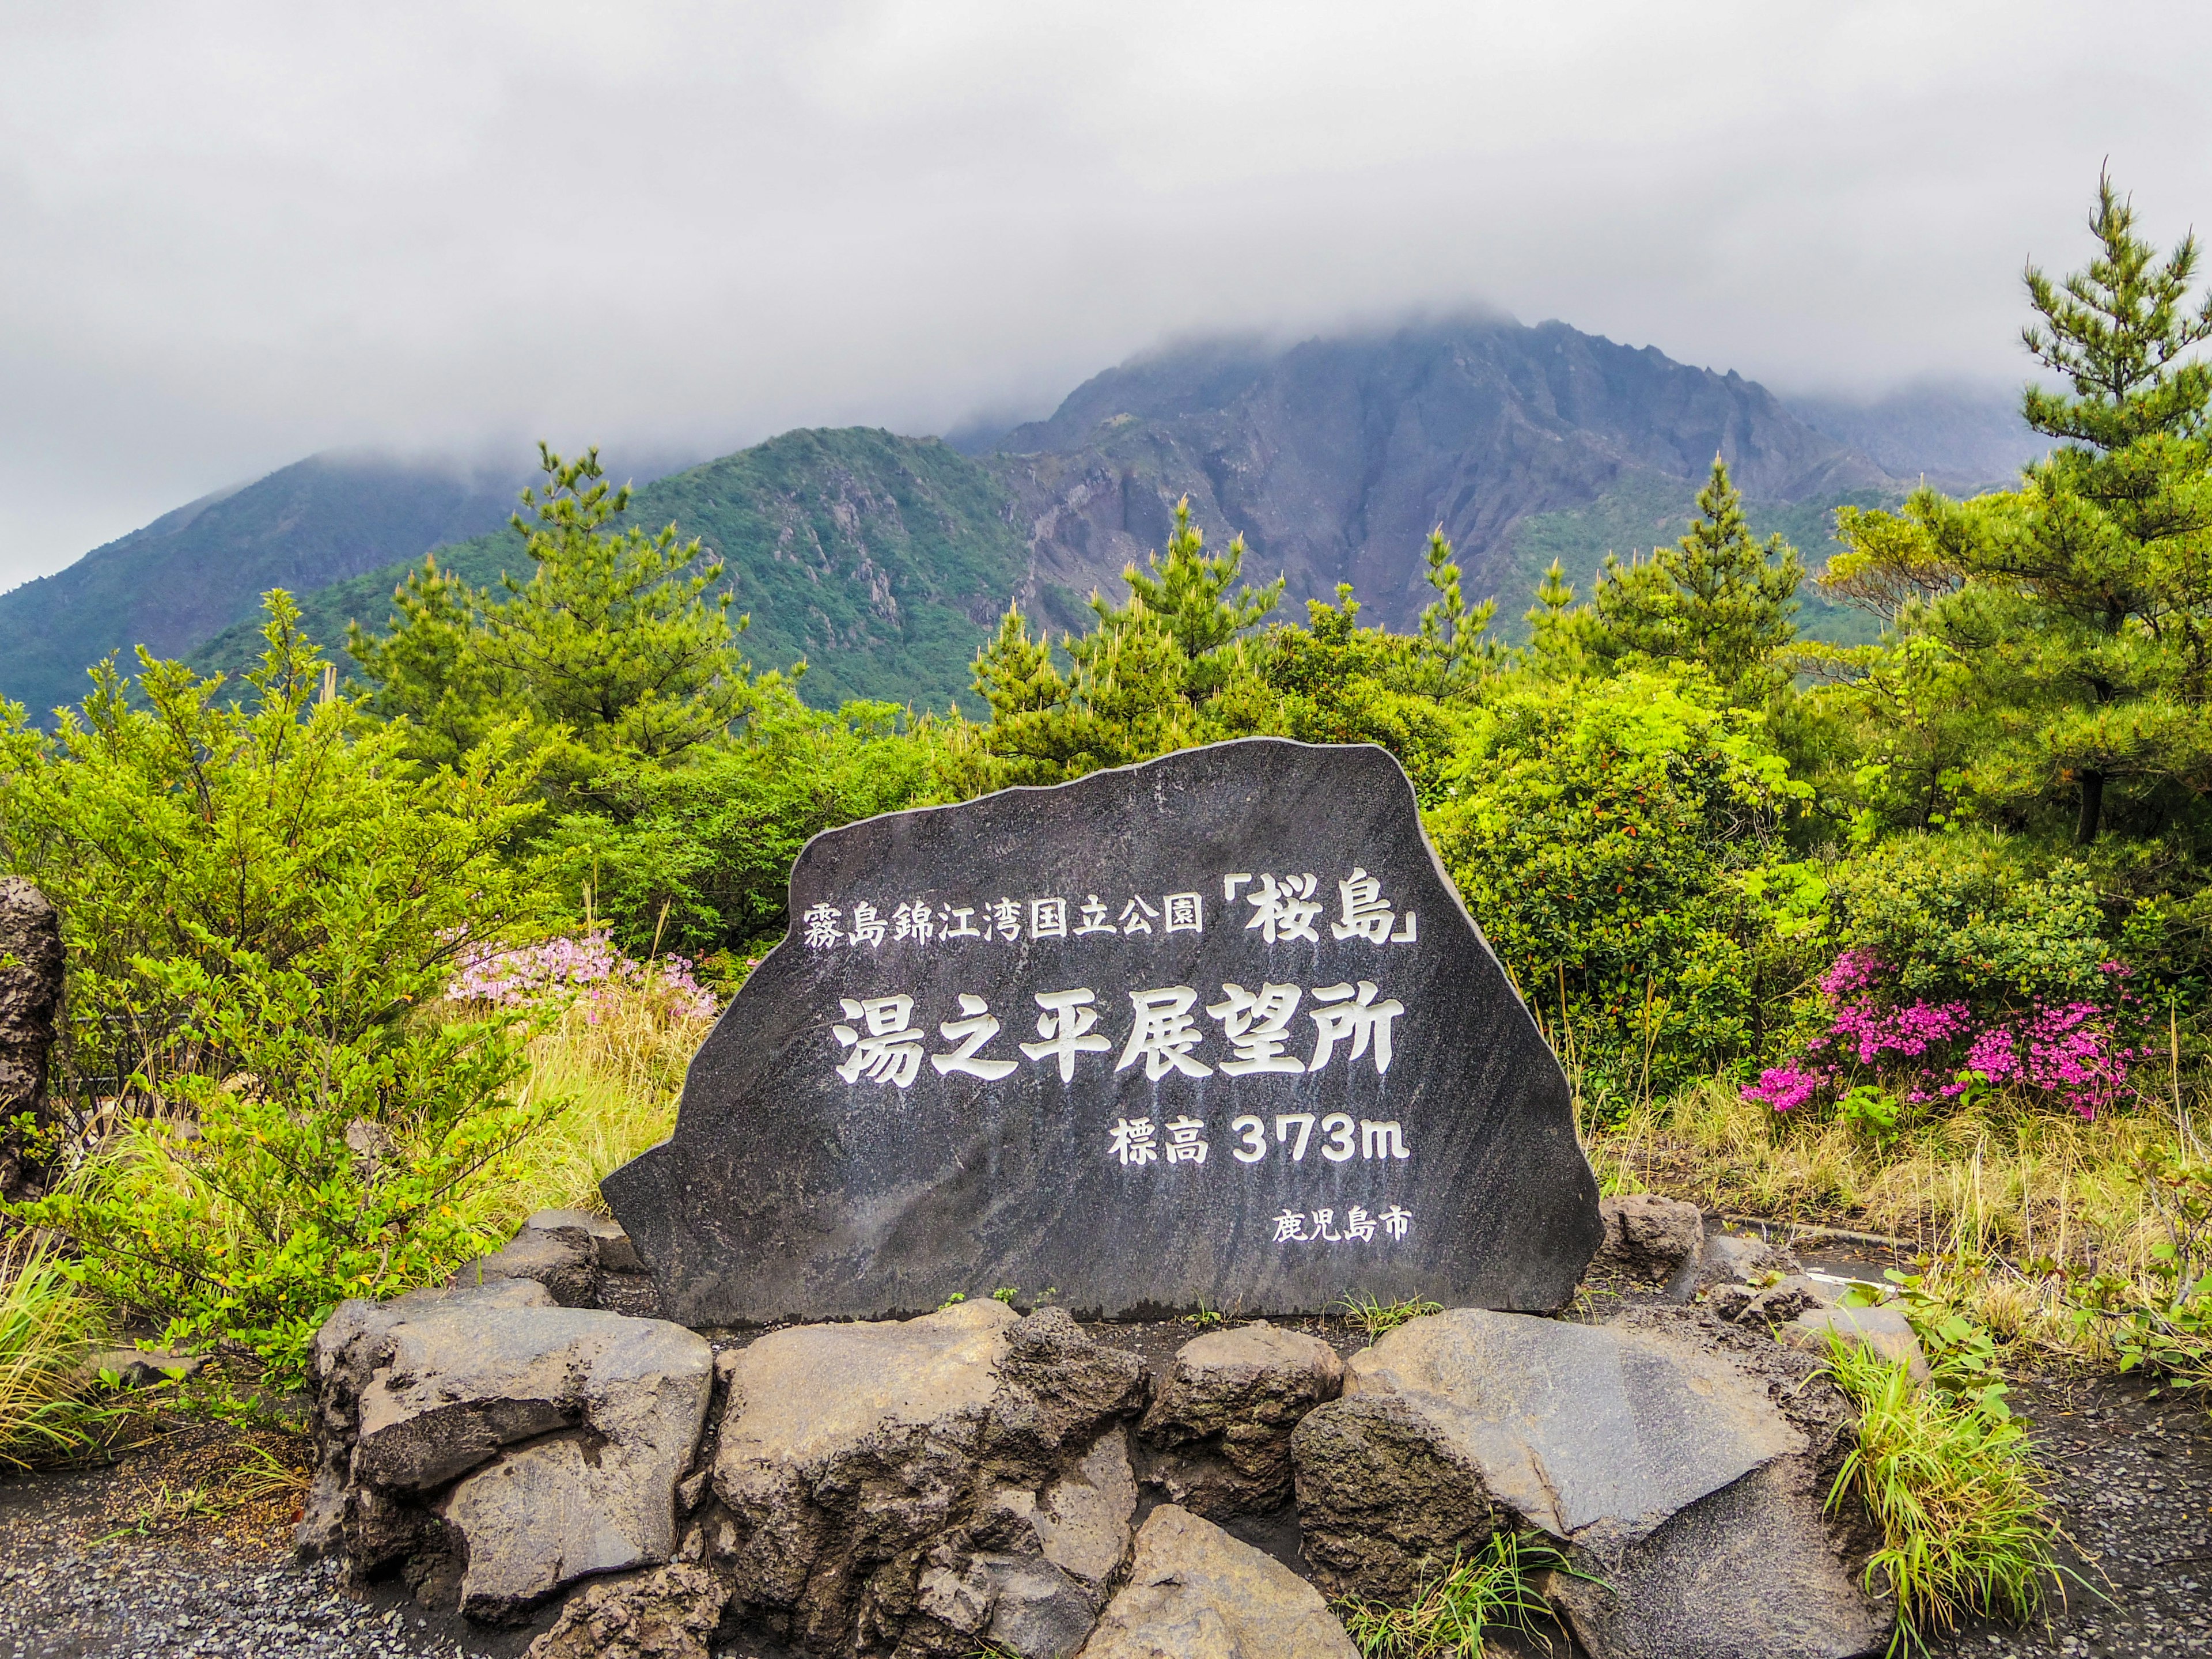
column 125, row 1561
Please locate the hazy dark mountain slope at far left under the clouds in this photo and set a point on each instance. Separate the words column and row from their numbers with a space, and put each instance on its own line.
column 198, row 570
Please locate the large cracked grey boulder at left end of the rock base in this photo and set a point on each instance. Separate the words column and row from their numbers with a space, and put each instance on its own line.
column 497, row 1446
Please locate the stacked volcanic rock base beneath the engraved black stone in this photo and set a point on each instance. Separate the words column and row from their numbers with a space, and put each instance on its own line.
column 981, row 1481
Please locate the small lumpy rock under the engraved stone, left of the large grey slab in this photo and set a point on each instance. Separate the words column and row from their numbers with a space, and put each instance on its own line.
column 1222, row 1421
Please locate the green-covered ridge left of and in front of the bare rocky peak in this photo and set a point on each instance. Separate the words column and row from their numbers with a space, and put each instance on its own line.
column 881, row 561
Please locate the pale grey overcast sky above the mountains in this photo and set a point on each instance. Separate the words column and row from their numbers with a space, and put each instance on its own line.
column 240, row 233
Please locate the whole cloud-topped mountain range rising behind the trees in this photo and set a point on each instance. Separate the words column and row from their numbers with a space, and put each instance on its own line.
column 886, row 561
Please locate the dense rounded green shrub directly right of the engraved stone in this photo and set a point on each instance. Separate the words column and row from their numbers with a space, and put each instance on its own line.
column 1620, row 846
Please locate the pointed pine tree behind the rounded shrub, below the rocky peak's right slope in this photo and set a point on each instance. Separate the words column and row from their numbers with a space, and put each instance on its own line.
column 1718, row 598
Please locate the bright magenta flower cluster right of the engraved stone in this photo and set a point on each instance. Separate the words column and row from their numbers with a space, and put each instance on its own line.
column 2072, row 1054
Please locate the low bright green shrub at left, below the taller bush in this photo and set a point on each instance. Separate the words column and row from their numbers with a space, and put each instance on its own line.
column 328, row 1165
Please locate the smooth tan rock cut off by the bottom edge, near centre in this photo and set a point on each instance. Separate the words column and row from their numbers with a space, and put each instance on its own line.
column 1198, row 1594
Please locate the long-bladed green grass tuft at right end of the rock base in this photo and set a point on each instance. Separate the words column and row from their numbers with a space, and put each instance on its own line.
column 1959, row 1499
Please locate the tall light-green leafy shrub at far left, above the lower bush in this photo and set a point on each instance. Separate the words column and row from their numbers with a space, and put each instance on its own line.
column 171, row 826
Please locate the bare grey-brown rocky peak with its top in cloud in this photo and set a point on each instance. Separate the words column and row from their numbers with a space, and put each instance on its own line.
column 1337, row 457
